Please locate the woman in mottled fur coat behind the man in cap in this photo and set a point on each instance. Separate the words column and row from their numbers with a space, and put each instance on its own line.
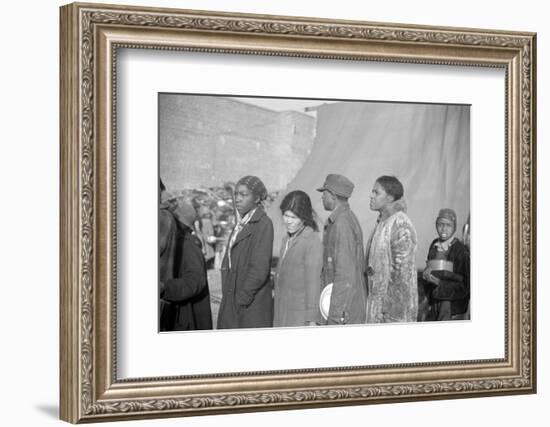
column 391, row 270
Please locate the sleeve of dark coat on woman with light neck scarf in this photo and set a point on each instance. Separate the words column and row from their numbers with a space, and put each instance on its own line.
column 259, row 263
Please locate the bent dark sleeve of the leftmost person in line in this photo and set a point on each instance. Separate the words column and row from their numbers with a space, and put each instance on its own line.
column 191, row 278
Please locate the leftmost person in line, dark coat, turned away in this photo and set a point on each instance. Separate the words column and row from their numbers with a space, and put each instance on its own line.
column 185, row 294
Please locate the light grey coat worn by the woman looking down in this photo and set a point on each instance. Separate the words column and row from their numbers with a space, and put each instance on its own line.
column 298, row 280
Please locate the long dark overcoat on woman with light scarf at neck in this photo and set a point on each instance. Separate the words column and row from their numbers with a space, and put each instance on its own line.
column 247, row 299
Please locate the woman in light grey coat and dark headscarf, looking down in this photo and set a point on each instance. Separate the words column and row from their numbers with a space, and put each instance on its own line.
column 298, row 280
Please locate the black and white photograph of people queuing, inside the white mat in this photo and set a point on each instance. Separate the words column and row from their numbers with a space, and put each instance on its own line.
column 285, row 212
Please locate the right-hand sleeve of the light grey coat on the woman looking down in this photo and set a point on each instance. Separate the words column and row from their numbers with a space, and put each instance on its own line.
column 313, row 264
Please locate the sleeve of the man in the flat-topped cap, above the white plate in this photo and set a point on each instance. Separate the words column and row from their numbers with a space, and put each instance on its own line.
column 344, row 269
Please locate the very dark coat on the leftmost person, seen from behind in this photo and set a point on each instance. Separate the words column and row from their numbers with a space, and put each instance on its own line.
column 187, row 292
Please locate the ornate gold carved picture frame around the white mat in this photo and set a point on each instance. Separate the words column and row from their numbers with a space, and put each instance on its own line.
column 91, row 36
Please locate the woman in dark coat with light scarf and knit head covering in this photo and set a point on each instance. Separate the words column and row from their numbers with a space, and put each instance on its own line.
column 247, row 300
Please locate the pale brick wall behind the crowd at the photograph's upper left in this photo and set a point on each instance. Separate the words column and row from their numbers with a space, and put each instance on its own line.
column 208, row 140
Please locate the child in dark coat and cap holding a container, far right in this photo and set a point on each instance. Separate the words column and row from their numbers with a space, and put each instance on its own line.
column 451, row 290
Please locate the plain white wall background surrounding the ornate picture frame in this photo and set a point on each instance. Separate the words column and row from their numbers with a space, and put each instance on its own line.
column 29, row 171
